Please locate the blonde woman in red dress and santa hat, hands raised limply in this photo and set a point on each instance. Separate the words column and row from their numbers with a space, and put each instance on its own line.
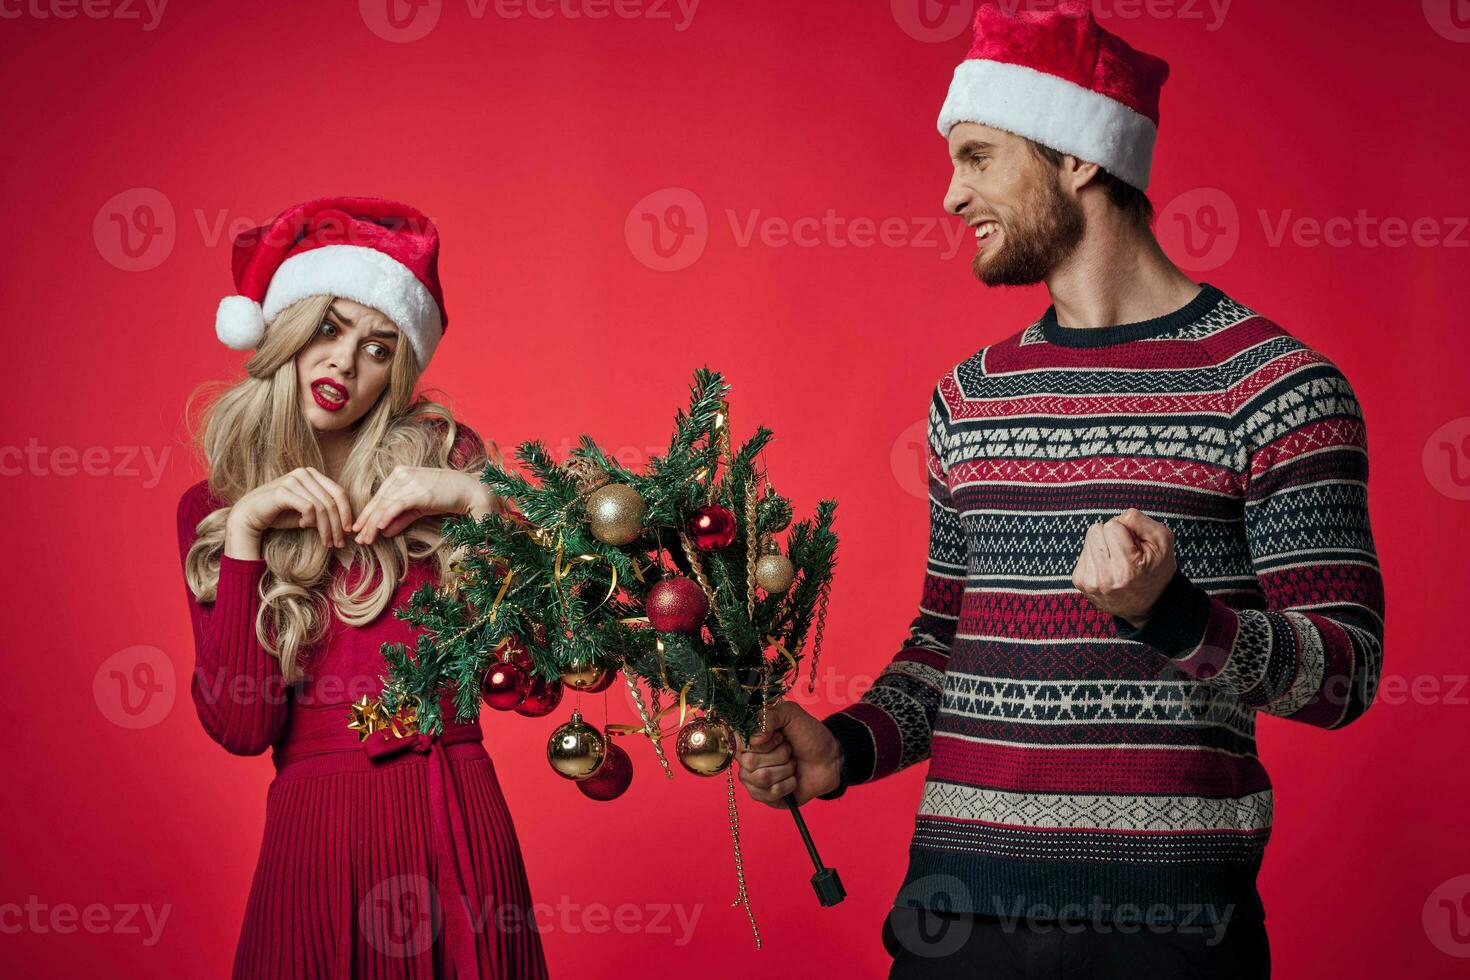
column 329, row 480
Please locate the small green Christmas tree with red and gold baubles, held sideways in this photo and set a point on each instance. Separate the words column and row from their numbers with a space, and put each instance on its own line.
column 673, row 578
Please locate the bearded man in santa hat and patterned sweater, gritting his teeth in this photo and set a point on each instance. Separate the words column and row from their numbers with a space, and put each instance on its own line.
column 1149, row 524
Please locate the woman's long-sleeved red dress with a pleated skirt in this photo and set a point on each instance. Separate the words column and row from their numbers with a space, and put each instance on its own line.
column 381, row 859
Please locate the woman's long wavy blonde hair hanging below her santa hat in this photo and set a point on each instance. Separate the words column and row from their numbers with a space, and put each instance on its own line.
column 255, row 433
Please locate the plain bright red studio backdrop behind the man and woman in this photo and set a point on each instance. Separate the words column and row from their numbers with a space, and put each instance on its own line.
column 531, row 140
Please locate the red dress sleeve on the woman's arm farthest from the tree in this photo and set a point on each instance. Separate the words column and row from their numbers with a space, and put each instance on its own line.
column 237, row 685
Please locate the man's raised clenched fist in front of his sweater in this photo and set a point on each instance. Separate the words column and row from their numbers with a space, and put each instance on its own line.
column 1125, row 565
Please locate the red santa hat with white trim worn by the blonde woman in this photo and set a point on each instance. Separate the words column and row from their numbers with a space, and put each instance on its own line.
column 379, row 253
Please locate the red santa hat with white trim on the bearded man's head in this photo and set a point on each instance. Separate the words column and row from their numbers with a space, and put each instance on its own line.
column 1061, row 80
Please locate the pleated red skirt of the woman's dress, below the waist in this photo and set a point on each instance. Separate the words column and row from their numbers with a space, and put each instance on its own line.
column 362, row 875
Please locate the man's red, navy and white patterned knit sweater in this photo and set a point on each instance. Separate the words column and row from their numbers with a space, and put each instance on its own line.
column 1078, row 768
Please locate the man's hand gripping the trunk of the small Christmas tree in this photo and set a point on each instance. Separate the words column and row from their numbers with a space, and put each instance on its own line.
column 797, row 754
